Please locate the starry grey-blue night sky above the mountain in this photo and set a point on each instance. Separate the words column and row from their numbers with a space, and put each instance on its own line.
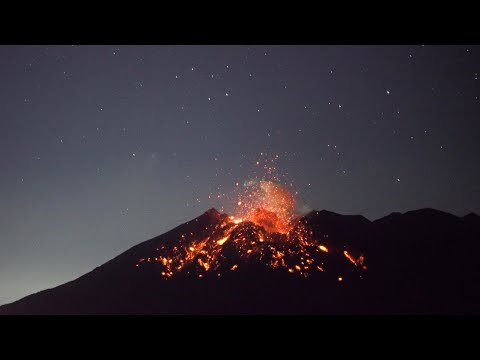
column 103, row 147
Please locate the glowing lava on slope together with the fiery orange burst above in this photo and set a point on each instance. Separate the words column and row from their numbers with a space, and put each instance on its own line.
column 266, row 231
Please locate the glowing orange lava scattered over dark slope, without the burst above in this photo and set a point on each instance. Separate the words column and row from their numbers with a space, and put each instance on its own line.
column 223, row 244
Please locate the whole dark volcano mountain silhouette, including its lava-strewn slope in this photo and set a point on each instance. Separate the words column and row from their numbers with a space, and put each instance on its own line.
column 423, row 261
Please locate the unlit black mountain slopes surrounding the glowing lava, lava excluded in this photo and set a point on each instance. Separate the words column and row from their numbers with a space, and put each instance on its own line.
column 431, row 236
